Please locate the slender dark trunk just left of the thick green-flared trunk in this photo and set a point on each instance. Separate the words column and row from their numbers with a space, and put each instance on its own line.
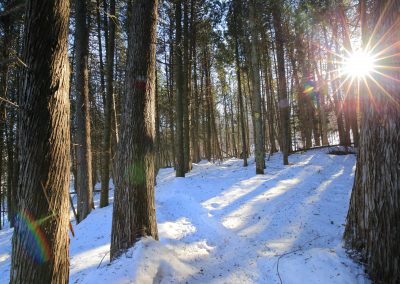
column 106, row 162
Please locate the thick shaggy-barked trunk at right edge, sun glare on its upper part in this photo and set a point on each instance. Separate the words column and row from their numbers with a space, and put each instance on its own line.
column 373, row 225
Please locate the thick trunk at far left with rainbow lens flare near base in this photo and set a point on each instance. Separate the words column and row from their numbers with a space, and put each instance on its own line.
column 44, row 146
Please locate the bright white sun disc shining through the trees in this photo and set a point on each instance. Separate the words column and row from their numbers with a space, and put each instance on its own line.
column 359, row 64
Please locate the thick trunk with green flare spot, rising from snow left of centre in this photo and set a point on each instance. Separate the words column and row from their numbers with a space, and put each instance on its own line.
column 134, row 214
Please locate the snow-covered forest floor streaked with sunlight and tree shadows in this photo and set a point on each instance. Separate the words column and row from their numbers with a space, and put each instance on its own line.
column 224, row 224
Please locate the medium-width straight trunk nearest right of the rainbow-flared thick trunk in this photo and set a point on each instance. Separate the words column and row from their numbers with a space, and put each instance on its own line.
column 84, row 149
